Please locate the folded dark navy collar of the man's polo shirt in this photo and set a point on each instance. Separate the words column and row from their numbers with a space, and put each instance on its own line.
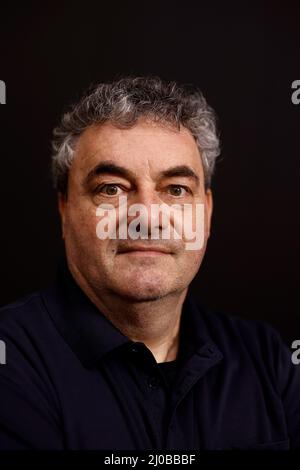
column 91, row 335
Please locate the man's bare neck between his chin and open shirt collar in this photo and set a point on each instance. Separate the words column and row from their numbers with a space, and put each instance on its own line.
column 156, row 323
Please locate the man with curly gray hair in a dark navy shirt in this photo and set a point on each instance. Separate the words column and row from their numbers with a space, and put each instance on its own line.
column 117, row 354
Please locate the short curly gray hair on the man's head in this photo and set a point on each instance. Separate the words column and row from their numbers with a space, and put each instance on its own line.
column 122, row 102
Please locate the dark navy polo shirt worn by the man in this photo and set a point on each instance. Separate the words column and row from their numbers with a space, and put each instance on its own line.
column 72, row 380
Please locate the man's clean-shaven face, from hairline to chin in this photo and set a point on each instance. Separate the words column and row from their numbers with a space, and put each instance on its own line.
column 149, row 164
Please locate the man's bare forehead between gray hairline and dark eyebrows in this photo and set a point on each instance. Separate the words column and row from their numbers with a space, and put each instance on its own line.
column 146, row 146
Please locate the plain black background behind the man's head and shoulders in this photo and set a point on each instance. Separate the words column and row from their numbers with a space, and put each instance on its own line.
column 244, row 58
